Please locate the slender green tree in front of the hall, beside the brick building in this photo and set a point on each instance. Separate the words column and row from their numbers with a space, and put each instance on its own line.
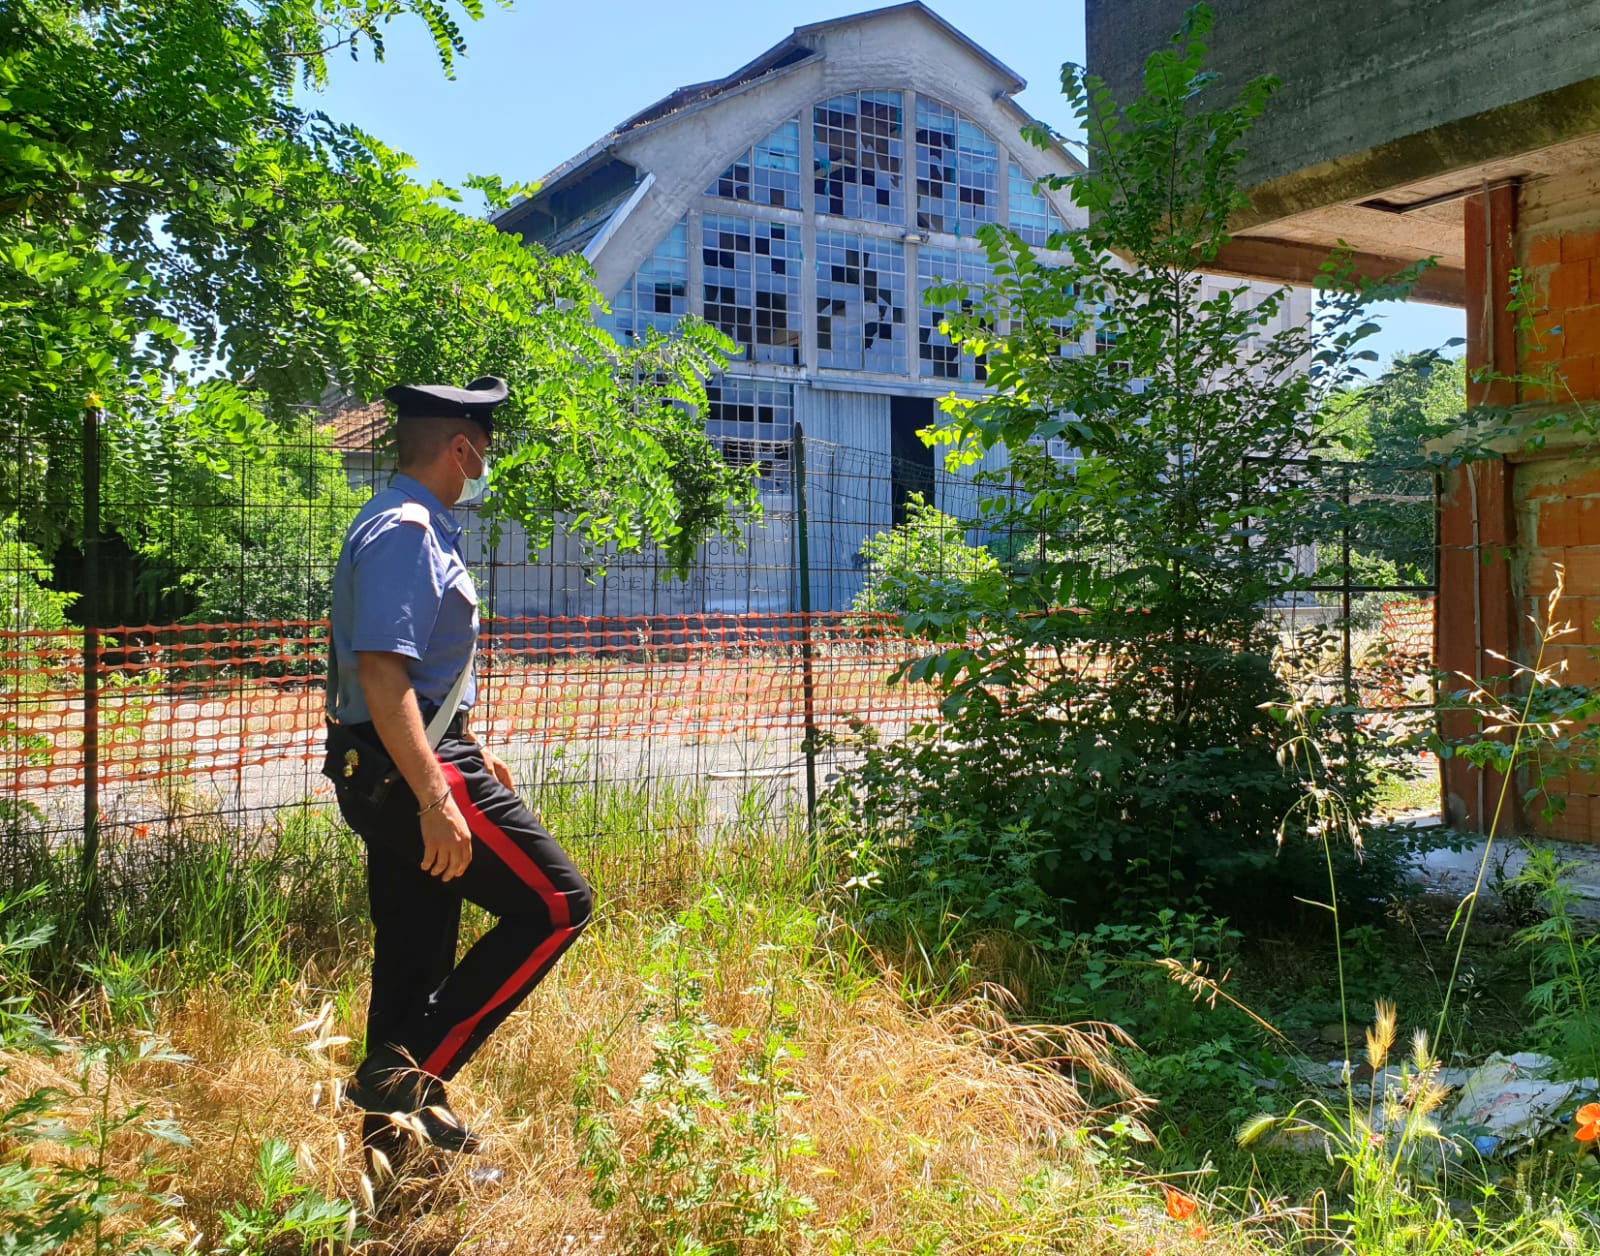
column 1129, row 662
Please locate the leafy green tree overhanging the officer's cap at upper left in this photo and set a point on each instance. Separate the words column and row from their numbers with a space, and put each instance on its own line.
column 191, row 250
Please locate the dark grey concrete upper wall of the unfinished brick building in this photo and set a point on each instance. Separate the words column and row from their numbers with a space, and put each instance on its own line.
column 1366, row 73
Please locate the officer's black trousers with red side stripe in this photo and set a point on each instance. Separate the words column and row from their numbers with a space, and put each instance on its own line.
column 425, row 1004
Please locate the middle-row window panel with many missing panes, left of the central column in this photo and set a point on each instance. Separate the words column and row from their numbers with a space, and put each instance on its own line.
column 753, row 284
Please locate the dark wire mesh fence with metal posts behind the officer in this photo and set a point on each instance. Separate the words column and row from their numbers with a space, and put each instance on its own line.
column 164, row 634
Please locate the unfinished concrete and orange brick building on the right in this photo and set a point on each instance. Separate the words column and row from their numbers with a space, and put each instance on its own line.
column 1466, row 130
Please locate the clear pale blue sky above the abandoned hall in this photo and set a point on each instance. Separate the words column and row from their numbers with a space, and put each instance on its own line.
column 545, row 81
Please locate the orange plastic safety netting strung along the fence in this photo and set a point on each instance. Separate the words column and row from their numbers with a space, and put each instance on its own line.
column 223, row 700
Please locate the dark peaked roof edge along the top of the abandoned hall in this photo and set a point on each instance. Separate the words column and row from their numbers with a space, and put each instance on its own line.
column 782, row 57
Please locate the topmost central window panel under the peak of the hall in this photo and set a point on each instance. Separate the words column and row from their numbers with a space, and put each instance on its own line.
column 858, row 156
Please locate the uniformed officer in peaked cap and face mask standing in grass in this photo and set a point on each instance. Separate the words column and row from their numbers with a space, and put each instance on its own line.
column 450, row 830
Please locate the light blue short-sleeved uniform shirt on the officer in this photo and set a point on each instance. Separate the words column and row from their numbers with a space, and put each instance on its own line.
column 402, row 588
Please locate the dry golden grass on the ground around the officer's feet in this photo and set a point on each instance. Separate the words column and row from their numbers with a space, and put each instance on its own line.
column 934, row 1132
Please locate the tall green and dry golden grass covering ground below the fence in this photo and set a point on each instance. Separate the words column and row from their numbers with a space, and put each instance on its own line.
column 718, row 1001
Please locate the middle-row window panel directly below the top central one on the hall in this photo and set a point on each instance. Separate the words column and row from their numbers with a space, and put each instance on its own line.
column 860, row 303
